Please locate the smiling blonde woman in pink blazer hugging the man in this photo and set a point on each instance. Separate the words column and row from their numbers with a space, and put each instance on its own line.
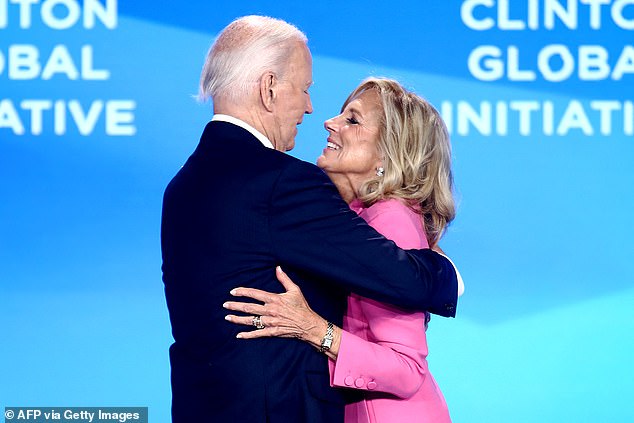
column 388, row 153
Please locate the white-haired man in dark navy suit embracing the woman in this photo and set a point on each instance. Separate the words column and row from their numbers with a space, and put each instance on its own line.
column 238, row 208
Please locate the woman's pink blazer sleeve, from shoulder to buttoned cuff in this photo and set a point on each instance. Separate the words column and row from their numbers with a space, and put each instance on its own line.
column 392, row 360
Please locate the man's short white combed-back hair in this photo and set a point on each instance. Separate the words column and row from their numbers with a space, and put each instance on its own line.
column 246, row 49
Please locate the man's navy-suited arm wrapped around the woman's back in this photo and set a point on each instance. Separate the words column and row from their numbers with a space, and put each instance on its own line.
column 313, row 229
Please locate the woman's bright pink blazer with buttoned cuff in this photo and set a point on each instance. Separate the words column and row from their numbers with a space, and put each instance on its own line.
column 384, row 348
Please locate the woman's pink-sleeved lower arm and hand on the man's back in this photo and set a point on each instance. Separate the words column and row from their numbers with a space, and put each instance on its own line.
column 394, row 362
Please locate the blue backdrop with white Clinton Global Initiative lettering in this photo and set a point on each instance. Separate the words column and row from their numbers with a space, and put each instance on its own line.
column 97, row 114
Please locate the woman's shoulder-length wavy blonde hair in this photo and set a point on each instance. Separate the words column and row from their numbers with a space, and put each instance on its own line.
column 414, row 145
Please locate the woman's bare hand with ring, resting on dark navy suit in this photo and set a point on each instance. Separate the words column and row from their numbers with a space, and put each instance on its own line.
column 285, row 315
